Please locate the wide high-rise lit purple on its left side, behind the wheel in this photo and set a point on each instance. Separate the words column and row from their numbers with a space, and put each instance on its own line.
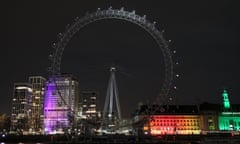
column 61, row 103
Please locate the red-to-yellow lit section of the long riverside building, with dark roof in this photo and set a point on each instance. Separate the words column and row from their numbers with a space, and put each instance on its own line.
column 172, row 119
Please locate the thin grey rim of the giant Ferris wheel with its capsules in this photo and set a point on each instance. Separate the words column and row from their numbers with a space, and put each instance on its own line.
column 120, row 14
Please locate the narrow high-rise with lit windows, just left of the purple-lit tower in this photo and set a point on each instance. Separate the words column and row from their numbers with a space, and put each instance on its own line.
column 38, row 85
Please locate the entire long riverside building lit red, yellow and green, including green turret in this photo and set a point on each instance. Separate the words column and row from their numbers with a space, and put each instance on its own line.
column 184, row 119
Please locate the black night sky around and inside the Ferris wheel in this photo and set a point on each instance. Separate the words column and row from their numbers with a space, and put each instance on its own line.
column 204, row 33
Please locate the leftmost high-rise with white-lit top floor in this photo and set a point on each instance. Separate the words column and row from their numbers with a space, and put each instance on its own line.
column 21, row 109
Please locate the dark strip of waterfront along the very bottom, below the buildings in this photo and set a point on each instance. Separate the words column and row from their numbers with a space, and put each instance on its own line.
column 165, row 139
